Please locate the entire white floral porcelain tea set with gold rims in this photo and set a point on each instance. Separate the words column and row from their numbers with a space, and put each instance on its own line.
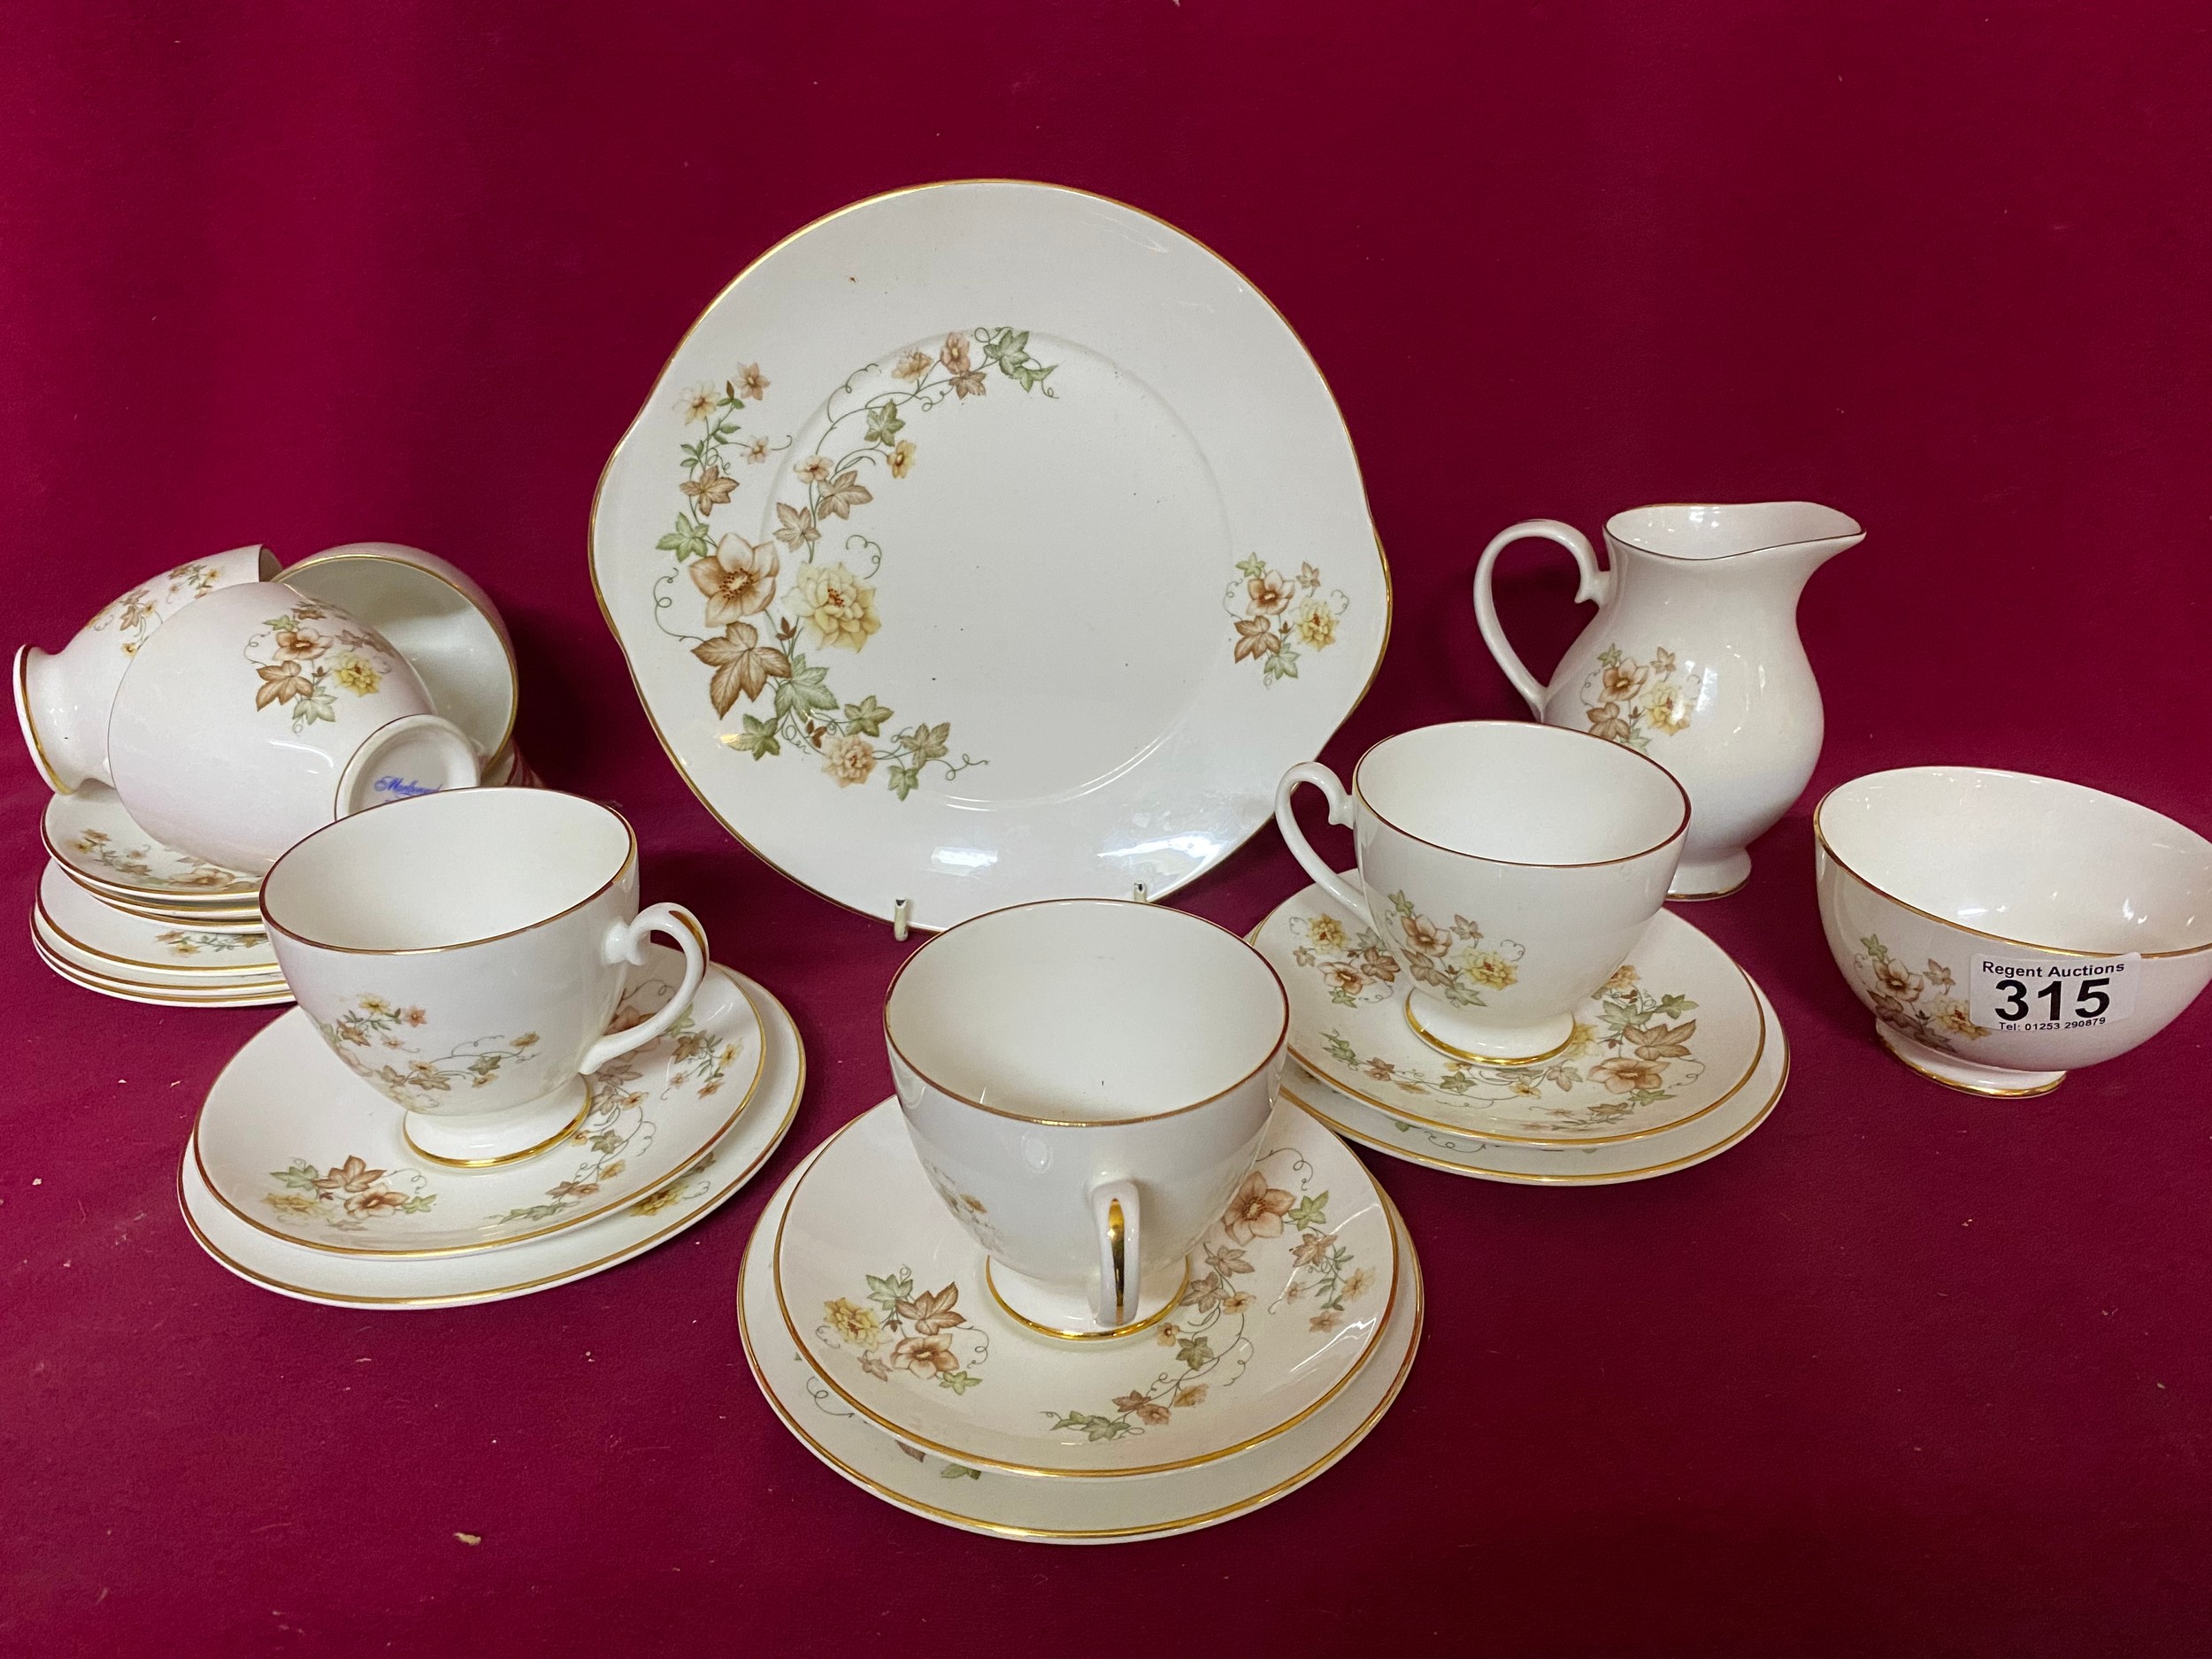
column 1103, row 1266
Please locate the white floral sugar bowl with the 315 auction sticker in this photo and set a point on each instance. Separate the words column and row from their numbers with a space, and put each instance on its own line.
column 2007, row 928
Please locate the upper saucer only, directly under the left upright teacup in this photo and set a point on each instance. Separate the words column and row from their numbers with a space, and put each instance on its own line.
column 298, row 1147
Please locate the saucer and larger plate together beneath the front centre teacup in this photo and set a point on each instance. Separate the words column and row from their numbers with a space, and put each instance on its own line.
column 875, row 1335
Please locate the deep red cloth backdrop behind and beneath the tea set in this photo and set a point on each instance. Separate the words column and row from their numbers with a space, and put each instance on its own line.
column 1906, row 1373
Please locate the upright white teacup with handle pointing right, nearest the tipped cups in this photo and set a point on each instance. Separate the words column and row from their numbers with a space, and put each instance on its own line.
column 466, row 954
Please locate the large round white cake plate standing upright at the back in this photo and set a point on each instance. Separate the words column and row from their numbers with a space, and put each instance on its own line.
column 990, row 543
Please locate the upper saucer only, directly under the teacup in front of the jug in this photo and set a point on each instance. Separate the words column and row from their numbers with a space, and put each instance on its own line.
column 1676, row 1034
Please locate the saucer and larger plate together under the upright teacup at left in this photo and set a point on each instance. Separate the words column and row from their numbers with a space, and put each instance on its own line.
column 300, row 1176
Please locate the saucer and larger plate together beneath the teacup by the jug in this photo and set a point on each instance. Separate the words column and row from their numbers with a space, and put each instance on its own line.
column 1678, row 1058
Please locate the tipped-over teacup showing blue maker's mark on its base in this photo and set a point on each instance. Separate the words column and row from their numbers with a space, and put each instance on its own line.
column 260, row 716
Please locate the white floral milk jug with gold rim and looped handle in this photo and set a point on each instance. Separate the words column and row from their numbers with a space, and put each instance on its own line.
column 1693, row 658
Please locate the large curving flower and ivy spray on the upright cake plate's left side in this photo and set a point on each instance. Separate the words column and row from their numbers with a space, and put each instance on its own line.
column 773, row 607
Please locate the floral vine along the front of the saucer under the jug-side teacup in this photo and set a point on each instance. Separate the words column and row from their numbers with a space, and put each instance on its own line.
column 1638, row 1054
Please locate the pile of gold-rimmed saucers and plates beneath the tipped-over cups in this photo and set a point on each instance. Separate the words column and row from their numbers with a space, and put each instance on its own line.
column 127, row 917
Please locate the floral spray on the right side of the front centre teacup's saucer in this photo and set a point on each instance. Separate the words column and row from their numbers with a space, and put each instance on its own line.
column 1211, row 1346
